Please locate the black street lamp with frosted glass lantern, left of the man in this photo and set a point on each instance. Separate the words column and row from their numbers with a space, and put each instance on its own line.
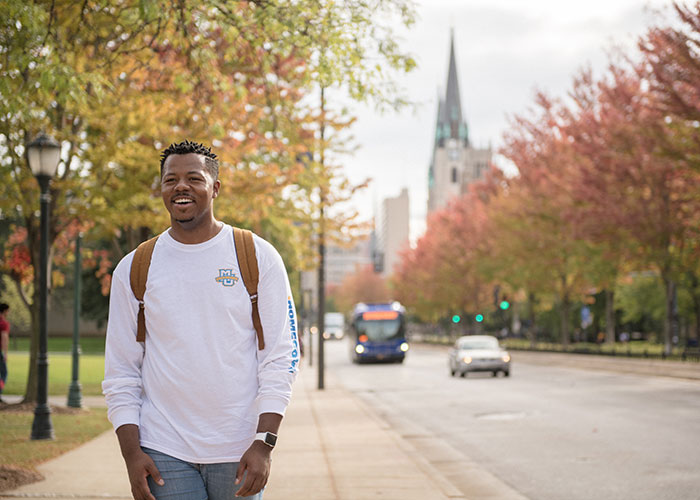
column 43, row 154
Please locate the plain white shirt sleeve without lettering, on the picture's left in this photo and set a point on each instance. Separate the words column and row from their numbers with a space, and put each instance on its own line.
column 123, row 354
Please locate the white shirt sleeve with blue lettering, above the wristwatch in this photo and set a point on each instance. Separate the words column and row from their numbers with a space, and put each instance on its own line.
column 278, row 363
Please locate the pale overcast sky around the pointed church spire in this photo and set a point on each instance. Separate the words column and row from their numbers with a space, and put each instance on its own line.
column 505, row 50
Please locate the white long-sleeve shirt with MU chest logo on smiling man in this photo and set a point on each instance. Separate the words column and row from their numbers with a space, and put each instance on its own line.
column 198, row 385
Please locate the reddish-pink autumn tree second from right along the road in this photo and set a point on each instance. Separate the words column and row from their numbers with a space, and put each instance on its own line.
column 547, row 228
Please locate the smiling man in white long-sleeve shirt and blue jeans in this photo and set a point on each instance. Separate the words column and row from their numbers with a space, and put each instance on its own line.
column 191, row 405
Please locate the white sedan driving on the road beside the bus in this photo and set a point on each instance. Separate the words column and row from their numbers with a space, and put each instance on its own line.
column 478, row 353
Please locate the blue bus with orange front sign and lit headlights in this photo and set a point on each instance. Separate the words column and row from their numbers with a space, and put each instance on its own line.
column 378, row 332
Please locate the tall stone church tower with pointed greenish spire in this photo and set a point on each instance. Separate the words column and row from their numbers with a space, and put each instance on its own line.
column 455, row 163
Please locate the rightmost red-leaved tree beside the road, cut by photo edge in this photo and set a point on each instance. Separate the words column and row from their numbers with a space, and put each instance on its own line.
column 655, row 220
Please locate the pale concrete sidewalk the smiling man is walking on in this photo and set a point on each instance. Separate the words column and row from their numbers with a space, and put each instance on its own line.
column 331, row 447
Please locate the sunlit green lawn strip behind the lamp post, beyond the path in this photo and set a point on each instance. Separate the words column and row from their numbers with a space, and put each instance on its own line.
column 91, row 373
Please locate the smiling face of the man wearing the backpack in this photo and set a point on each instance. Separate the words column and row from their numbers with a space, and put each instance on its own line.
column 188, row 190
